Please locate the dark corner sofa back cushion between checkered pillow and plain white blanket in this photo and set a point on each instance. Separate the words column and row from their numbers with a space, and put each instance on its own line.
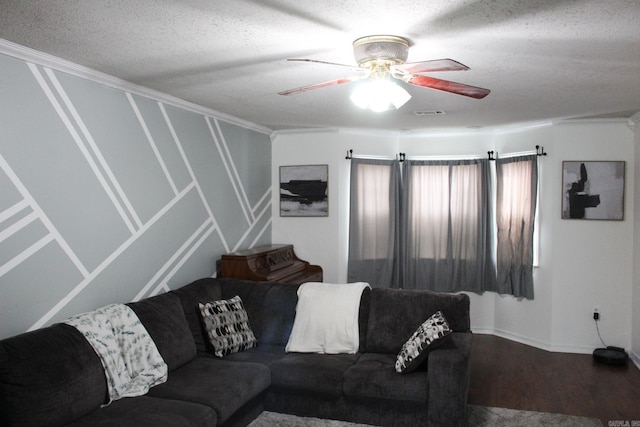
column 271, row 307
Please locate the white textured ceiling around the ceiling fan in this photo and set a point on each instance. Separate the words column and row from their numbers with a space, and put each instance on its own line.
column 542, row 59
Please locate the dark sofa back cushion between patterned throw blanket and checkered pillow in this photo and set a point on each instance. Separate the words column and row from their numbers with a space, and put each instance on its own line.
column 164, row 320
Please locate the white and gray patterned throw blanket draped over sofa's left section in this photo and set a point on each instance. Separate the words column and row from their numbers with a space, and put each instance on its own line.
column 130, row 358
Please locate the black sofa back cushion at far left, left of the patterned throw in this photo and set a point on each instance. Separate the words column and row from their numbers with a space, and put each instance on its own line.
column 50, row 376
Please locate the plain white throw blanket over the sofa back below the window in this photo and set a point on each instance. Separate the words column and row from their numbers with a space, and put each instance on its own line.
column 327, row 318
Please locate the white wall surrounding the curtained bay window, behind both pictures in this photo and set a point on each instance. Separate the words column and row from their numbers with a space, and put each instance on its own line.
column 582, row 263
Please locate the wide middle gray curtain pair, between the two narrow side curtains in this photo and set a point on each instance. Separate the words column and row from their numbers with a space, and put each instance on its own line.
column 446, row 236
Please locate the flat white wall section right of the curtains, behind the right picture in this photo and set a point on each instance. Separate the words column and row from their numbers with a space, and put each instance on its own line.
column 592, row 260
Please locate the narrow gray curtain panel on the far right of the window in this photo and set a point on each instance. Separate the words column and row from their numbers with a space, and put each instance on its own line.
column 517, row 180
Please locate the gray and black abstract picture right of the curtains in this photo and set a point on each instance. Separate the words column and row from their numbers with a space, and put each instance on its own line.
column 593, row 190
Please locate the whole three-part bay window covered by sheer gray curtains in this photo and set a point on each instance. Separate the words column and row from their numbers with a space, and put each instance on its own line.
column 432, row 225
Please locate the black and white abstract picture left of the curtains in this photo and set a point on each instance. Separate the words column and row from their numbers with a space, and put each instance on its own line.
column 304, row 191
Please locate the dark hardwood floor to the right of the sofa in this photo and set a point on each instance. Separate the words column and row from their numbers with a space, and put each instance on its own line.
column 508, row 374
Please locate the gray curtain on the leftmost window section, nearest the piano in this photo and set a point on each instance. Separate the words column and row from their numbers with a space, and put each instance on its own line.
column 373, row 222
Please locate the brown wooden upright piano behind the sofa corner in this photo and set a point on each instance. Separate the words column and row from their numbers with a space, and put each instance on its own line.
column 271, row 263
